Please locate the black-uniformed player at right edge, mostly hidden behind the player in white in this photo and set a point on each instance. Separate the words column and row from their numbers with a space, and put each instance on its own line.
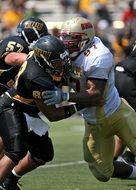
column 125, row 76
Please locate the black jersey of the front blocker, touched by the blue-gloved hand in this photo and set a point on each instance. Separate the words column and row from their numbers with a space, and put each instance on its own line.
column 31, row 82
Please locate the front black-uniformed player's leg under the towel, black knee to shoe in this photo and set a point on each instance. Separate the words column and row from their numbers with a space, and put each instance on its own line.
column 41, row 151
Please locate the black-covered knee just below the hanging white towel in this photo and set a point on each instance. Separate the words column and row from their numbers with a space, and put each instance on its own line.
column 40, row 148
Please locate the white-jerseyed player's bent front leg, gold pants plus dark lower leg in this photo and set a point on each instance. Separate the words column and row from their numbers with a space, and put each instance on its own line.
column 99, row 151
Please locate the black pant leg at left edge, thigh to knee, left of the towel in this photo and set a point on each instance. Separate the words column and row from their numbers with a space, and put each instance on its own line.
column 13, row 131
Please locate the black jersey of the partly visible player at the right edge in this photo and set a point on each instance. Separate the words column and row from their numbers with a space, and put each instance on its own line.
column 125, row 80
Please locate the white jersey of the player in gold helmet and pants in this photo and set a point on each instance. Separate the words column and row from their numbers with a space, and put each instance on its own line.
column 97, row 62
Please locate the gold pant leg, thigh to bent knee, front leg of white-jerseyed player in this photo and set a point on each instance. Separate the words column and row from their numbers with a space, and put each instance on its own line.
column 98, row 151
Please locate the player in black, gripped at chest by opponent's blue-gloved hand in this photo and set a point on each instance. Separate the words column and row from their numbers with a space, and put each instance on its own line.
column 43, row 70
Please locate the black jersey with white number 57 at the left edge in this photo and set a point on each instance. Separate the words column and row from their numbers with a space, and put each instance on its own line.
column 8, row 72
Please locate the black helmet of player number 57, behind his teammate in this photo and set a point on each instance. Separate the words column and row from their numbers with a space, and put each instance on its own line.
column 31, row 29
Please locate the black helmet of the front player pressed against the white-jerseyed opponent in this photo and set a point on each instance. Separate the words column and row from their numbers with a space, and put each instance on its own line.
column 51, row 55
